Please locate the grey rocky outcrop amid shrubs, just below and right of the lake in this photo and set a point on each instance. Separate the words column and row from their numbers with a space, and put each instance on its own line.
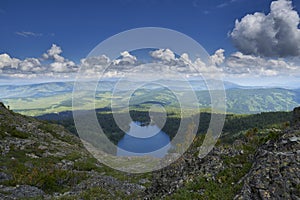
column 190, row 167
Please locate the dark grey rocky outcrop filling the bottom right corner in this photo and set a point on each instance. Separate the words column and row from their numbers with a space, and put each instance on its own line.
column 275, row 173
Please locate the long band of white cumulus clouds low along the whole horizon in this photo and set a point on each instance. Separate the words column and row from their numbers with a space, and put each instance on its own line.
column 53, row 64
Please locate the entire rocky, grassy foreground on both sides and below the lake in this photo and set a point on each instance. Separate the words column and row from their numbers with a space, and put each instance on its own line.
column 44, row 161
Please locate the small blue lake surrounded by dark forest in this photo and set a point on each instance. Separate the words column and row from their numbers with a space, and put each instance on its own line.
column 144, row 140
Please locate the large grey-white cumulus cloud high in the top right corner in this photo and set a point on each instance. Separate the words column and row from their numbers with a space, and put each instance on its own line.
column 274, row 34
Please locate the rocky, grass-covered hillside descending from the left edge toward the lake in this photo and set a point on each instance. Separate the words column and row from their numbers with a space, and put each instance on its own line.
column 44, row 160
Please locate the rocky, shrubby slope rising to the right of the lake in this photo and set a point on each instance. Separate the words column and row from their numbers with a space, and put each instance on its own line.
column 262, row 164
